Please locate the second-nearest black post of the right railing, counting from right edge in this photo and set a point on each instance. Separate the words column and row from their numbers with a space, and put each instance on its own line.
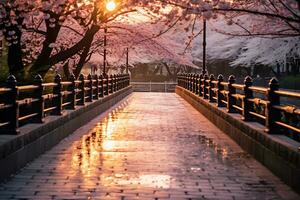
column 248, row 94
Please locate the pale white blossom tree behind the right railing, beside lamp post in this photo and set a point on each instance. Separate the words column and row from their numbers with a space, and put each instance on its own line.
column 246, row 51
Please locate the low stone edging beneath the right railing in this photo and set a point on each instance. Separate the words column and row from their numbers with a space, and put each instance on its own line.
column 277, row 152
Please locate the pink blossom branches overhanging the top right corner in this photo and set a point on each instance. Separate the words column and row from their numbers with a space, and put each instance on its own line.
column 280, row 18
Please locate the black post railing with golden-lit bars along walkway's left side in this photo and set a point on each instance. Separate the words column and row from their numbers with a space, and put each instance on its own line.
column 20, row 105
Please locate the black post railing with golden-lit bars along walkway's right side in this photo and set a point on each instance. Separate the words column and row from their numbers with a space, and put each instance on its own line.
column 261, row 104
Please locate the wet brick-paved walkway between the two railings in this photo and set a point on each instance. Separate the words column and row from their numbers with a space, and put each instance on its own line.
column 152, row 146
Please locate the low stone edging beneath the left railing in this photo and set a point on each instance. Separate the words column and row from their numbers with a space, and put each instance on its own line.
column 34, row 139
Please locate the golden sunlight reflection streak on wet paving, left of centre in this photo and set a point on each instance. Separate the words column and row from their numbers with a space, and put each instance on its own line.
column 97, row 150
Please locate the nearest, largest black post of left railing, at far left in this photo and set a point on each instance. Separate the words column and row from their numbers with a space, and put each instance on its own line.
column 12, row 99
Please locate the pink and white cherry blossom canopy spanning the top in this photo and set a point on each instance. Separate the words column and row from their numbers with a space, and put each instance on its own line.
column 47, row 33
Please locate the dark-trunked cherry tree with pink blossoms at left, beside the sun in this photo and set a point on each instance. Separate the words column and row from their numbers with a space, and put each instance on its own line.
column 46, row 19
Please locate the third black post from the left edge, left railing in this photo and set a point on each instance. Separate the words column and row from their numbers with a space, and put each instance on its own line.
column 58, row 99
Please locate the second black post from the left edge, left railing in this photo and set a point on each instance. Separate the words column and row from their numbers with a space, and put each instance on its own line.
column 38, row 94
